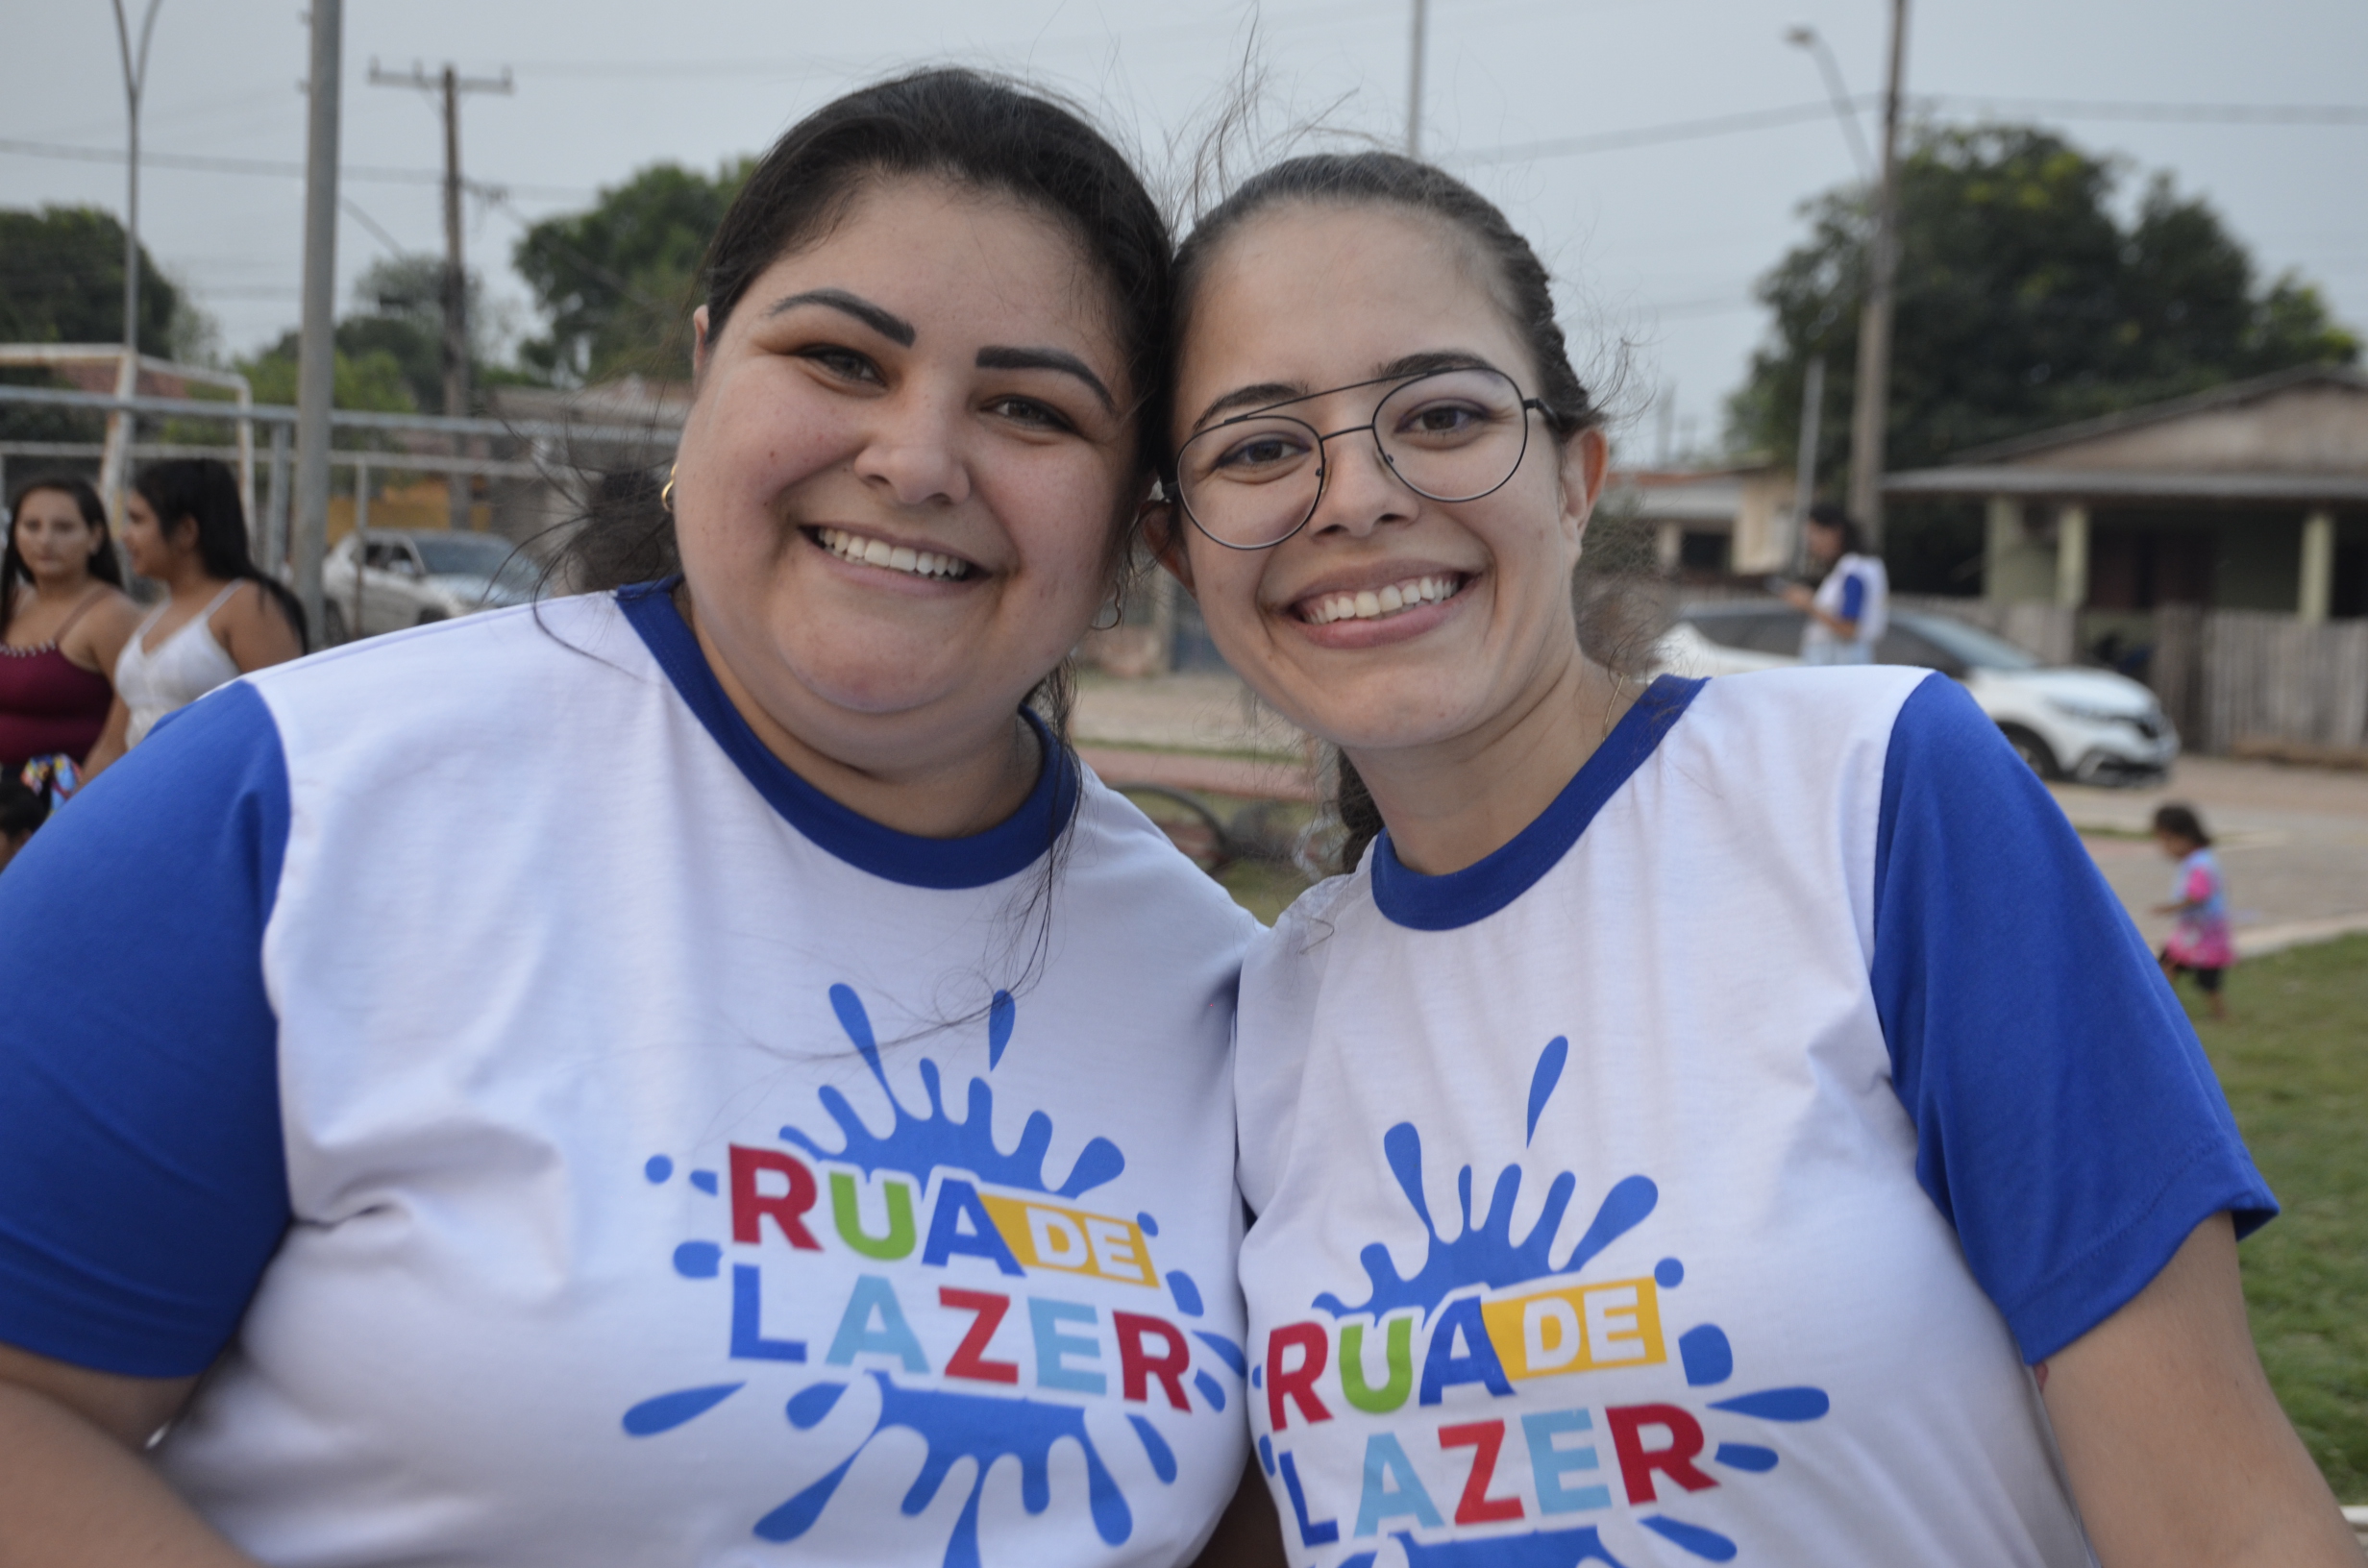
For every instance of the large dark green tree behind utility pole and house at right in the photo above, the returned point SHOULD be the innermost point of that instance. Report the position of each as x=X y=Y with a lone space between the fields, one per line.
x=2023 y=304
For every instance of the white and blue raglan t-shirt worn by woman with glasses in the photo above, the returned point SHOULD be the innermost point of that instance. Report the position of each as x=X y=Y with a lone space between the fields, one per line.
x=1692 y=1178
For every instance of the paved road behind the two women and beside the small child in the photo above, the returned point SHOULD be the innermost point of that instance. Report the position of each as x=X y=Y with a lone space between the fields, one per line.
x=2293 y=840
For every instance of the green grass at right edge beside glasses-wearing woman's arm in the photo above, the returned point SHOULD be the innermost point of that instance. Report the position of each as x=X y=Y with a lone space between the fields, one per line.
x=2296 y=1067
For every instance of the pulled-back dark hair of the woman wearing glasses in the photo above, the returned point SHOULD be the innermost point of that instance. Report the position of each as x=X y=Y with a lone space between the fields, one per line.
x=1524 y=290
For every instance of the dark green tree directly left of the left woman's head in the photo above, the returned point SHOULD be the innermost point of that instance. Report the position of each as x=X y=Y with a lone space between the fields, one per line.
x=619 y=281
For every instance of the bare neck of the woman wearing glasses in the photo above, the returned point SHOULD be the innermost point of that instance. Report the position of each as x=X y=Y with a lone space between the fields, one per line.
x=1458 y=802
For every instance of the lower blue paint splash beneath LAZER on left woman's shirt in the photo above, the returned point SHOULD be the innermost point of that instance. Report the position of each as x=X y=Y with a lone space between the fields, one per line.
x=970 y=1427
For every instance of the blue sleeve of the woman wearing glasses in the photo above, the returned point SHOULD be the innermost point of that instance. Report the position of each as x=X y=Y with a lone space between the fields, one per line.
x=2066 y=1117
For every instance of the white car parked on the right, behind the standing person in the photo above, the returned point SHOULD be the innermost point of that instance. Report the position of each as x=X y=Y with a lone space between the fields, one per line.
x=2068 y=724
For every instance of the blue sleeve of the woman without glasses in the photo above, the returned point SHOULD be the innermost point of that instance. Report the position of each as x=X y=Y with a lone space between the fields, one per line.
x=143 y=1183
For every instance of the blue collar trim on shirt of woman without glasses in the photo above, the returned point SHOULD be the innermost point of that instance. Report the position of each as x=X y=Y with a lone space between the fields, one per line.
x=1003 y=852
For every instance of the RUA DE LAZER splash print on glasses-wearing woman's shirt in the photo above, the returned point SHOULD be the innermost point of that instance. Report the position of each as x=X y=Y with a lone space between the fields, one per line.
x=1488 y=1309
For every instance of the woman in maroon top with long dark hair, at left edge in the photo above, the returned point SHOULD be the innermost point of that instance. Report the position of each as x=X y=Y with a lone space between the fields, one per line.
x=63 y=622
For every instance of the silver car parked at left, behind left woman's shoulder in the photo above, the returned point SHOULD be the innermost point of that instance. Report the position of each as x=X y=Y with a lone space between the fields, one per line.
x=390 y=579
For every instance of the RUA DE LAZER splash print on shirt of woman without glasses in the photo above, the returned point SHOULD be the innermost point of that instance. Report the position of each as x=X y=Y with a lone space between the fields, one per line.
x=858 y=1261
